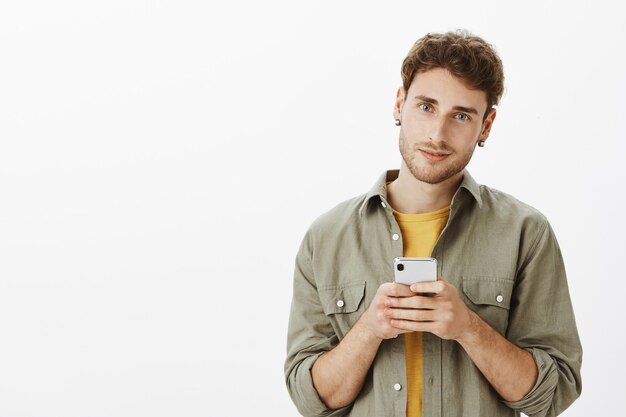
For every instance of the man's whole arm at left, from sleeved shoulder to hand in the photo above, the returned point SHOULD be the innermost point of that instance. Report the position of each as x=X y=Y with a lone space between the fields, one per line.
x=325 y=375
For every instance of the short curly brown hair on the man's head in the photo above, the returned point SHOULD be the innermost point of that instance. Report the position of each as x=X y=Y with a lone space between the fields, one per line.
x=466 y=56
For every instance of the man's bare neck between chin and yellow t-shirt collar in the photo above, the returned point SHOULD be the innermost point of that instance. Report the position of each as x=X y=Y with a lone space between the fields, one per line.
x=409 y=195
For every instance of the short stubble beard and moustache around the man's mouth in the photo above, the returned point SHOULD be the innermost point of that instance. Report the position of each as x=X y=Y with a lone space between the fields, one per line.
x=436 y=171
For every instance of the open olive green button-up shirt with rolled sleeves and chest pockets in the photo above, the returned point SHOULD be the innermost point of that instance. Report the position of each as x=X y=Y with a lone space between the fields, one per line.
x=500 y=254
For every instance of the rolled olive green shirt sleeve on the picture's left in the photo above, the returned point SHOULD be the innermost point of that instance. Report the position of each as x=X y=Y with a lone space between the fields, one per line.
x=310 y=334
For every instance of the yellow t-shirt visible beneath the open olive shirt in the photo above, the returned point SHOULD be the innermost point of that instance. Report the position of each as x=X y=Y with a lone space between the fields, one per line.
x=419 y=235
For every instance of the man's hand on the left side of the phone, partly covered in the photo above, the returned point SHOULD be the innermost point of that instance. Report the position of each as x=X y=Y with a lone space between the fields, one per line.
x=375 y=321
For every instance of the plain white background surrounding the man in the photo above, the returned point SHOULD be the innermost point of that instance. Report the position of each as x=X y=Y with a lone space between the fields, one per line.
x=160 y=162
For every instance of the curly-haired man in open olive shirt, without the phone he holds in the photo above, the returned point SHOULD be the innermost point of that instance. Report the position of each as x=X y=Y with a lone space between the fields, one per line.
x=495 y=334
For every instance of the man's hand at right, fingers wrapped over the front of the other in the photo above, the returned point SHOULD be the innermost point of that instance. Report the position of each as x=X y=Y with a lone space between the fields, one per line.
x=442 y=312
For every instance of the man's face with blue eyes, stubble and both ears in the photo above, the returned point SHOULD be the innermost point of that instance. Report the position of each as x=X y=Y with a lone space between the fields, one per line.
x=442 y=121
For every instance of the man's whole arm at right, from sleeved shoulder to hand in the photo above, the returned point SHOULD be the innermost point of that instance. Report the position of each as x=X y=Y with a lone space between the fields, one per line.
x=541 y=322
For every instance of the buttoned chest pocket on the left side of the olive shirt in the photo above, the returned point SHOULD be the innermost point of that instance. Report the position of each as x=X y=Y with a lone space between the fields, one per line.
x=343 y=304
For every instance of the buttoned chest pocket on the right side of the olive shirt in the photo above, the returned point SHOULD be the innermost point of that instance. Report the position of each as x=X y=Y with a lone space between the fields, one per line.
x=490 y=298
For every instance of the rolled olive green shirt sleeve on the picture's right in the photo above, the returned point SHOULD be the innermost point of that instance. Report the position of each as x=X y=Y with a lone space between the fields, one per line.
x=542 y=322
